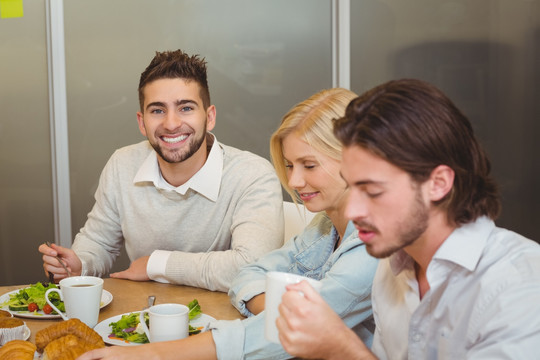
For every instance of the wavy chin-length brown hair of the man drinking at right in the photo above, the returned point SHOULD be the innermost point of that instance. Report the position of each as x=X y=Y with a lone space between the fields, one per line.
x=414 y=126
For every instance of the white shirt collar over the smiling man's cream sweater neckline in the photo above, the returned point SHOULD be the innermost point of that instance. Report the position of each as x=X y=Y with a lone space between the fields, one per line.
x=206 y=181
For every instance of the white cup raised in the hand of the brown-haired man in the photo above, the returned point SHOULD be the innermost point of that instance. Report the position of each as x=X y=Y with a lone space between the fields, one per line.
x=275 y=288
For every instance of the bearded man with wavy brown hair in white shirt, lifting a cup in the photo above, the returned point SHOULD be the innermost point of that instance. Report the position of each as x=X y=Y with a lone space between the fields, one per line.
x=451 y=284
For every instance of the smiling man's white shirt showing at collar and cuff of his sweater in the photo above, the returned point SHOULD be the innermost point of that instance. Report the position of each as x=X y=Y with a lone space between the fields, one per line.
x=206 y=182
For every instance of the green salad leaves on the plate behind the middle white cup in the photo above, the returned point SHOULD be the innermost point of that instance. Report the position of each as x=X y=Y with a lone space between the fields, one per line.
x=128 y=328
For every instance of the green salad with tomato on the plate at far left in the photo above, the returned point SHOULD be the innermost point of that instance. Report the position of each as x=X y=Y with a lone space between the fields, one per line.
x=32 y=299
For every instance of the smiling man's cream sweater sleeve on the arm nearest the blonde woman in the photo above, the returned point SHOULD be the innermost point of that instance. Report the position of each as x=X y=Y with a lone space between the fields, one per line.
x=256 y=228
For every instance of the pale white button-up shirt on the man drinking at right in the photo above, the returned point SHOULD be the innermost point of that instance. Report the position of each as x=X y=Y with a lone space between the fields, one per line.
x=483 y=302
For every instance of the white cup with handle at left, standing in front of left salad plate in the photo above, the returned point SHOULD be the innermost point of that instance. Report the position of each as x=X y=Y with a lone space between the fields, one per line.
x=81 y=296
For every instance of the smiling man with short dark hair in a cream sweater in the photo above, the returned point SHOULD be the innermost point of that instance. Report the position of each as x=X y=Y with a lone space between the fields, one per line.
x=189 y=209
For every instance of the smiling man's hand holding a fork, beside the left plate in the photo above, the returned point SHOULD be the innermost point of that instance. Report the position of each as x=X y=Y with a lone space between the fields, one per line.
x=51 y=264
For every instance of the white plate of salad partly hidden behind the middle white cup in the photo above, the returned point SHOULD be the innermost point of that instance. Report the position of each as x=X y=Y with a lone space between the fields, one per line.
x=125 y=330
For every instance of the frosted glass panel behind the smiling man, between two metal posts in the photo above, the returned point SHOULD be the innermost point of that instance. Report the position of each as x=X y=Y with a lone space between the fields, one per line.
x=263 y=57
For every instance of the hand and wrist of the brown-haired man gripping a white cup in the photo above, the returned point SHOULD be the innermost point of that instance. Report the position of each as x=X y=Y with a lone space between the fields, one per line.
x=309 y=328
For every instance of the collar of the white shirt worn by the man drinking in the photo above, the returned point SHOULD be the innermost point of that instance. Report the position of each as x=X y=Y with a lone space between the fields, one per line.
x=463 y=247
